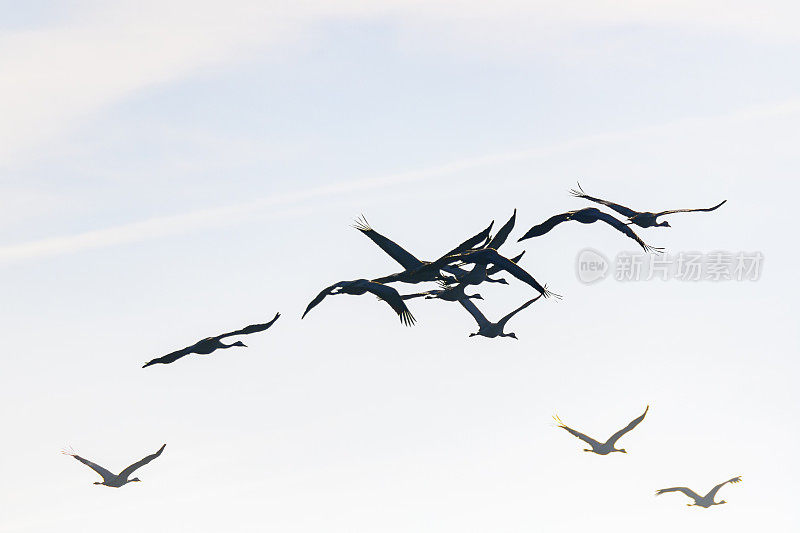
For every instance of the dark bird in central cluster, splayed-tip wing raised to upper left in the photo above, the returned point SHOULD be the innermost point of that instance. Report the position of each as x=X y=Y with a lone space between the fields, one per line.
x=414 y=268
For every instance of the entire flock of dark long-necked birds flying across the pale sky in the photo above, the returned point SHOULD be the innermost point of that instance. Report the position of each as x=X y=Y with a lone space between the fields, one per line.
x=453 y=279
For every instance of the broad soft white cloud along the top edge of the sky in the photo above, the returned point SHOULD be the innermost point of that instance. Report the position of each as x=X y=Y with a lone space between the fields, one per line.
x=55 y=77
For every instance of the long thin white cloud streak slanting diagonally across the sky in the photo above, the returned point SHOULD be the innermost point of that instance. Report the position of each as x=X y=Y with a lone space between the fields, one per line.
x=176 y=224
